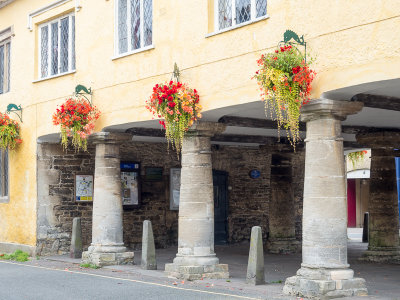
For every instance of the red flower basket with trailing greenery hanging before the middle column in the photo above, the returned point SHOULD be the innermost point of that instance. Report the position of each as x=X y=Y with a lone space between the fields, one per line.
x=179 y=106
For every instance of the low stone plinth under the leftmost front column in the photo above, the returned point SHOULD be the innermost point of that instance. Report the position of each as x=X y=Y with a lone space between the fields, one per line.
x=107 y=258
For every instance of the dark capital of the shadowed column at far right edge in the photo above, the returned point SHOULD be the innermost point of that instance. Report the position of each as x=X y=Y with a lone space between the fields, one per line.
x=379 y=139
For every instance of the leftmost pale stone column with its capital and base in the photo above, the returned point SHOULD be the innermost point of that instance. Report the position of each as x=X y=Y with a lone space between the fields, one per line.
x=107 y=246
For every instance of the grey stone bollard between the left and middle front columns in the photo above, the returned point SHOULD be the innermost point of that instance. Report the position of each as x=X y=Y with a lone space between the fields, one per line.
x=148 y=249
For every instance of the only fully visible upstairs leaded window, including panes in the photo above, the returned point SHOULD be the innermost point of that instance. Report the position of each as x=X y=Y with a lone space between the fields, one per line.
x=57 y=47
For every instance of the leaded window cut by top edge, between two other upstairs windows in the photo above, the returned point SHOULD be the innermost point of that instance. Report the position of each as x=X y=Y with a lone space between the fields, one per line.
x=134 y=25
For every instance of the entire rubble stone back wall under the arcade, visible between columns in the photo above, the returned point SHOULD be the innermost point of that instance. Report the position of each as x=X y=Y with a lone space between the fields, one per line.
x=248 y=199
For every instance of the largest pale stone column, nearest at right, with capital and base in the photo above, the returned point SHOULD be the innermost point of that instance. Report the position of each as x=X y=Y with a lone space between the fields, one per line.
x=324 y=270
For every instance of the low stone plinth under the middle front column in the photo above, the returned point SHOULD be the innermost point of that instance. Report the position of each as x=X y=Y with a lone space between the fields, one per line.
x=219 y=271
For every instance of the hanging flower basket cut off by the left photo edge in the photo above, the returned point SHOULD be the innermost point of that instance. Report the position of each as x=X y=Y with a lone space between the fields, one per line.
x=9 y=132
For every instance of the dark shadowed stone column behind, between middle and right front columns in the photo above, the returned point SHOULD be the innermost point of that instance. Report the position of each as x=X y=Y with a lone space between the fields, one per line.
x=281 y=207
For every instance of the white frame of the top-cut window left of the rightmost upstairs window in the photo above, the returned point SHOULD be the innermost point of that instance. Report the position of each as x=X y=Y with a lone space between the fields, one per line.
x=142 y=48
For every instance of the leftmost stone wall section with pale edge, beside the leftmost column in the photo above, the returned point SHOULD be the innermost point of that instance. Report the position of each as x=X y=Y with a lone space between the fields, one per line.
x=56 y=205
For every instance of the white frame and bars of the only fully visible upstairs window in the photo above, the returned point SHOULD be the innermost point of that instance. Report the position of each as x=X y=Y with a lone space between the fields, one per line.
x=71 y=52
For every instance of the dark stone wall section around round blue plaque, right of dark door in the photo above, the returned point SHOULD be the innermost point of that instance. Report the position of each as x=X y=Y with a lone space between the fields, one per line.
x=248 y=198
